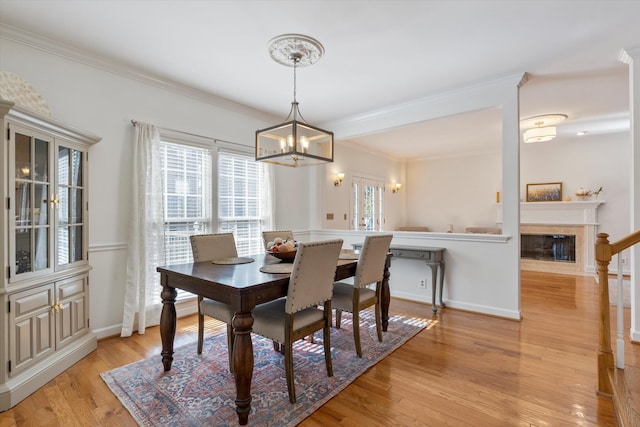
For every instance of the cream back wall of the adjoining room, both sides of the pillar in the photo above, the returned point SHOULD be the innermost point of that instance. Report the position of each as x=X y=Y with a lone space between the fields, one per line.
x=462 y=190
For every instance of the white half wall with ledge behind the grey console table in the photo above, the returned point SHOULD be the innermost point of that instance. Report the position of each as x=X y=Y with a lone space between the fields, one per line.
x=473 y=280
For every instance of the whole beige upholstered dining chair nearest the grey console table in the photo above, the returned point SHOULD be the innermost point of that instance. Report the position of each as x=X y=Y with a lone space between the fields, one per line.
x=355 y=297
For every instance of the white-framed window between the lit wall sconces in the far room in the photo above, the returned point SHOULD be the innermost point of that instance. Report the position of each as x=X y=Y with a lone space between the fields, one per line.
x=367 y=203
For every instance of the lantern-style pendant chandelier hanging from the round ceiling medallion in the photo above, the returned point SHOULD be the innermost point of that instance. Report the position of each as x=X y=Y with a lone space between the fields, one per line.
x=295 y=142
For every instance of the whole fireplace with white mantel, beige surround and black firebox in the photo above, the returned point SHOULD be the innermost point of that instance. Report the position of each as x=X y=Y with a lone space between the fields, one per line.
x=574 y=225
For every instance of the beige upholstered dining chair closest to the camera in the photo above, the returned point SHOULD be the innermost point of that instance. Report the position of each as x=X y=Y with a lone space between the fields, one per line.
x=307 y=306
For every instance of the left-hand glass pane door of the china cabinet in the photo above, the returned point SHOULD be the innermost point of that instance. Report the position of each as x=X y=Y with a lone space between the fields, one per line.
x=31 y=208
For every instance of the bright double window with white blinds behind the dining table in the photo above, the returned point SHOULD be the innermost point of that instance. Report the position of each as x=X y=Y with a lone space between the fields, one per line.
x=188 y=205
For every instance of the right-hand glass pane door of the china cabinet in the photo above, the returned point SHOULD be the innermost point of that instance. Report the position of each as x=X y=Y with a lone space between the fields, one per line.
x=70 y=206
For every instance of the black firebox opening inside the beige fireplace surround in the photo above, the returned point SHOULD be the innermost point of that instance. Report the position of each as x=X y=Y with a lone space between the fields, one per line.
x=548 y=247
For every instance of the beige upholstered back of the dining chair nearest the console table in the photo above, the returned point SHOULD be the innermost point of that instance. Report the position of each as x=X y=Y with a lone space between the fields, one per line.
x=372 y=259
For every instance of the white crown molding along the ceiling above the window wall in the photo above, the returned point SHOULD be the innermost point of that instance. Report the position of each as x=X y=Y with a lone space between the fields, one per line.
x=121 y=69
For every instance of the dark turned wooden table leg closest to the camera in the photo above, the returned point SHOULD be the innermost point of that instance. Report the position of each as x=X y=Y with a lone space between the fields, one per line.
x=243 y=364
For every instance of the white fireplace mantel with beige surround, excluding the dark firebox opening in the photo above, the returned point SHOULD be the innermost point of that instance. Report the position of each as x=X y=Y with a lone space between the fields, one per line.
x=555 y=217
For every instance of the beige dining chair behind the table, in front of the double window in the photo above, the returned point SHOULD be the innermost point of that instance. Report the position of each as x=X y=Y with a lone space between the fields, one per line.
x=207 y=247
